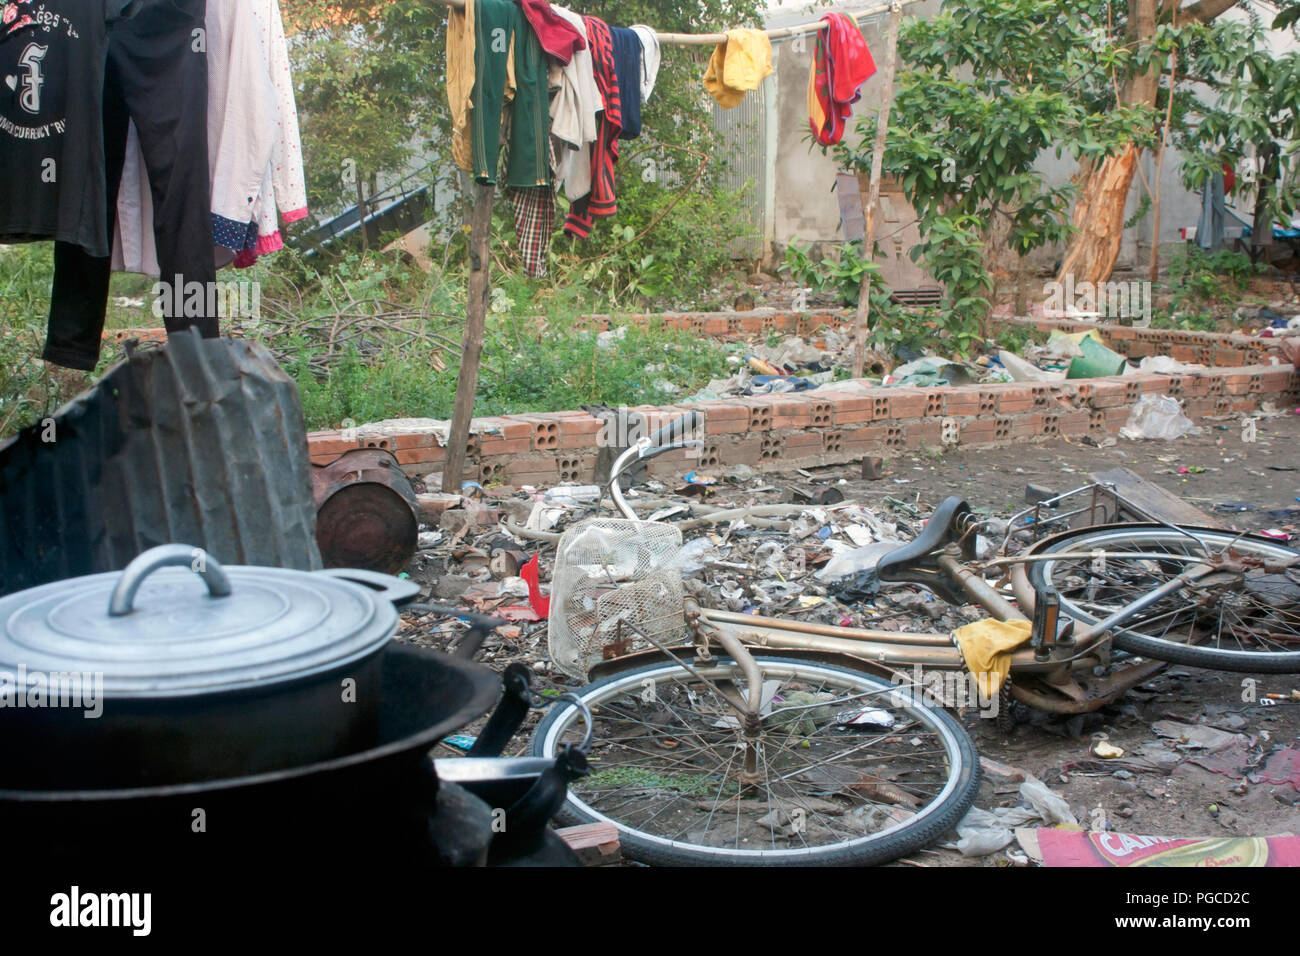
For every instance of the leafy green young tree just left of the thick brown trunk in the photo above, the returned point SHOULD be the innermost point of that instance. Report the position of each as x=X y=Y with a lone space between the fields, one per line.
x=985 y=90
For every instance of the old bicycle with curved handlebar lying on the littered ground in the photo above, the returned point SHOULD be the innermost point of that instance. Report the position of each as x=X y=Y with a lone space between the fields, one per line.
x=770 y=741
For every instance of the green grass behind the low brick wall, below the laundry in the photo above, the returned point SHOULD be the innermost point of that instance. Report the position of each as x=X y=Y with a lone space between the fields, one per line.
x=528 y=364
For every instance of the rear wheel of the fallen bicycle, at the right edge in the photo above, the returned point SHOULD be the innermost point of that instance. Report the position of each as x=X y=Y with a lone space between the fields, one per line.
x=1250 y=602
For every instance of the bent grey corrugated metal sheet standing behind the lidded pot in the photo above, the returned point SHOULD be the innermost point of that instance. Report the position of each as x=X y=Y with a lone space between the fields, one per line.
x=198 y=443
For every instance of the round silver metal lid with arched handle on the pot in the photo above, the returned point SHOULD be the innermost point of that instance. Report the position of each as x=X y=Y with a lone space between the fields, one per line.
x=176 y=622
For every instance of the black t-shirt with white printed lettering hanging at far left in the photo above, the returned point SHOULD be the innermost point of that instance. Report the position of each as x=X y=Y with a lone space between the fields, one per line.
x=51 y=123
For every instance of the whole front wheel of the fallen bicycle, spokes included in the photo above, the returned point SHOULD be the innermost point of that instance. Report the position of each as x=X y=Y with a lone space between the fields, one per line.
x=847 y=769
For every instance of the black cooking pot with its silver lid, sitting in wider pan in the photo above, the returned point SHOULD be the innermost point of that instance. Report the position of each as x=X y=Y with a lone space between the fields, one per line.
x=179 y=671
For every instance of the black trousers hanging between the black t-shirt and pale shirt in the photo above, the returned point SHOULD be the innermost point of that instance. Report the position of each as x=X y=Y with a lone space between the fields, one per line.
x=158 y=79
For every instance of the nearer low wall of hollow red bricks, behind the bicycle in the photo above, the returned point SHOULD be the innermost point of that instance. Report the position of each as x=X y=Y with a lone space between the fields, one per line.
x=826 y=427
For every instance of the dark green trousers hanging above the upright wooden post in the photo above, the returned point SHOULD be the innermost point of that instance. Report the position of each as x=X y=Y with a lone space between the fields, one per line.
x=502 y=31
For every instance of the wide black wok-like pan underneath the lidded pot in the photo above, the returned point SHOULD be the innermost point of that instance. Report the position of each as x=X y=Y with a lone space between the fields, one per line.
x=371 y=807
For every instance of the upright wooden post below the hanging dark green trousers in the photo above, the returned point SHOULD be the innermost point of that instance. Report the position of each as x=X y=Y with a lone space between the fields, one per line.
x=473 y=344
